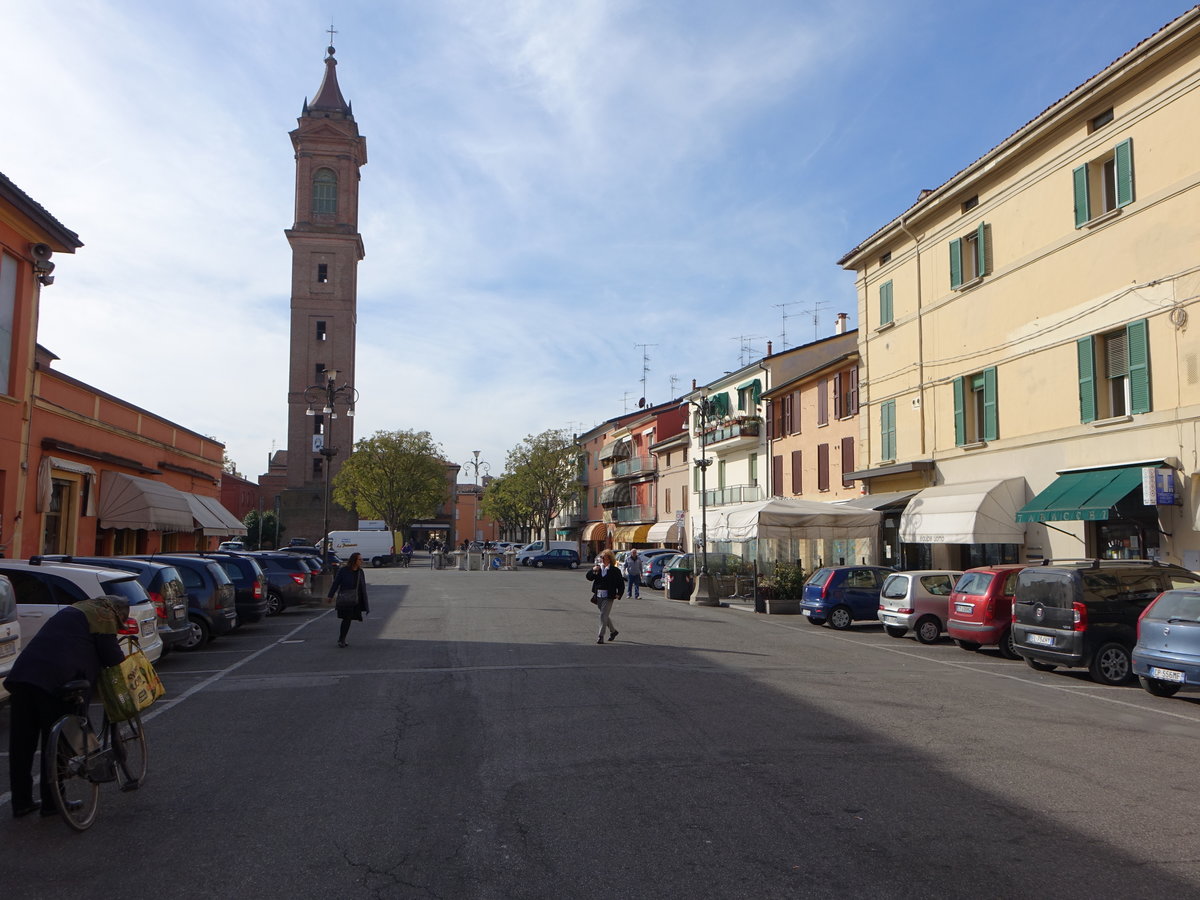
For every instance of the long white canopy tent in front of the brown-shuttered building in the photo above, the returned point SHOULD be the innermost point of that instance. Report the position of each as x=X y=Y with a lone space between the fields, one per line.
x=789 y=519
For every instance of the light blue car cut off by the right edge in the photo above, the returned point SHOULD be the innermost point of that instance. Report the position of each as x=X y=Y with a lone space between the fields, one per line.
x=1167 y=657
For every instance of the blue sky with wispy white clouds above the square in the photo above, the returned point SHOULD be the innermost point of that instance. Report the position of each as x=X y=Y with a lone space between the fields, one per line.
x=550 y=184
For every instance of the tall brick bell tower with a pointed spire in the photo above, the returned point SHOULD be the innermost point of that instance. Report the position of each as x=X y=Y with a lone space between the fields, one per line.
x=326 y=253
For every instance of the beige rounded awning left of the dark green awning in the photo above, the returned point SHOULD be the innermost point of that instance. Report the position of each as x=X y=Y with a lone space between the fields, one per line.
x=970 y=513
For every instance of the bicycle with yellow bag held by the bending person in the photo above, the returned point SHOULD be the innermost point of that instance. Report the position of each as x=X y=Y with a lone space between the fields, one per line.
x=79 y=760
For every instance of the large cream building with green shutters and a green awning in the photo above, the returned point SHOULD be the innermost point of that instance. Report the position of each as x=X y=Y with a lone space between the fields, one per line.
x=1025 y=331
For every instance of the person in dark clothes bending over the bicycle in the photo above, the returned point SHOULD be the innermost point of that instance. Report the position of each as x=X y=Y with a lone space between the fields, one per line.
x=76 y=643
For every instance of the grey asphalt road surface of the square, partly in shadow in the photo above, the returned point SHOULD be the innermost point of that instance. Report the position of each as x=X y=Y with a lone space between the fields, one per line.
x=475 y=742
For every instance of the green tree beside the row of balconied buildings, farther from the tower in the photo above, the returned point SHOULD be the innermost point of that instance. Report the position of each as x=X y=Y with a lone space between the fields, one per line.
x=545 y=472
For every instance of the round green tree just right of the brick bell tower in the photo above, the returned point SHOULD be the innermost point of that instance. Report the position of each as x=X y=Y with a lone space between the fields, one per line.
x=397 y=476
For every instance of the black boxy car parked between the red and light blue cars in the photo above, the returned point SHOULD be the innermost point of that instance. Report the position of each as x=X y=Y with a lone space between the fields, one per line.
x=1084 y=614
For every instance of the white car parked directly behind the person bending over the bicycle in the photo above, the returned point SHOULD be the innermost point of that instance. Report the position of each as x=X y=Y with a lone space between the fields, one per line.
x=44 y=589
